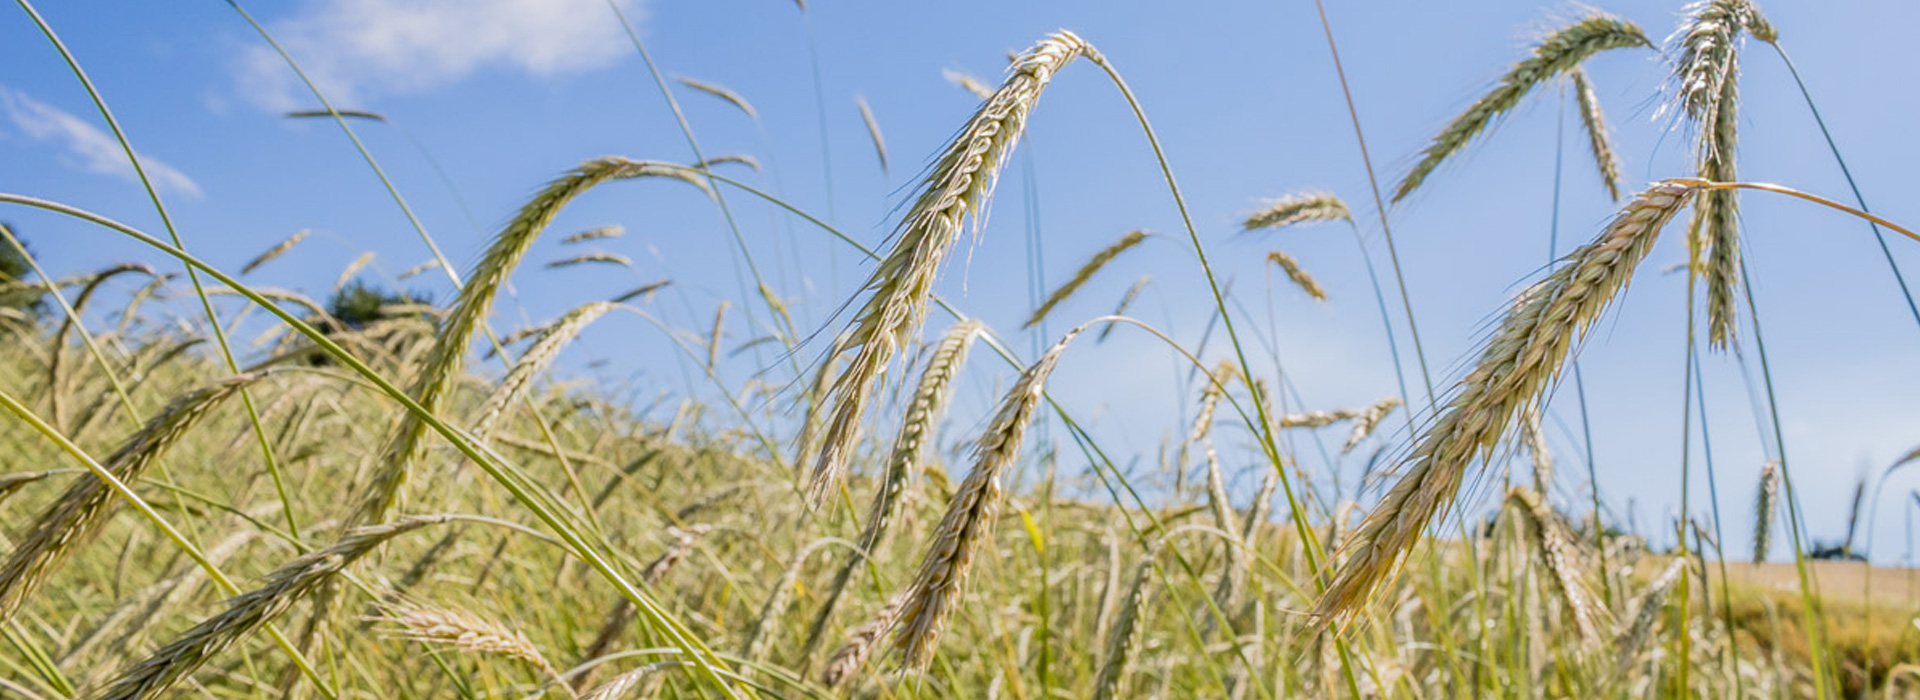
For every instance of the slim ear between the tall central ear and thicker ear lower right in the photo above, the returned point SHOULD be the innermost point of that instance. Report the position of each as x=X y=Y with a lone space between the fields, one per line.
x=917 y=432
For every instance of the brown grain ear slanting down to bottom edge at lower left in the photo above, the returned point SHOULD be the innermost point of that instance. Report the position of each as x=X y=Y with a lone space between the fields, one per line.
x=252 y=611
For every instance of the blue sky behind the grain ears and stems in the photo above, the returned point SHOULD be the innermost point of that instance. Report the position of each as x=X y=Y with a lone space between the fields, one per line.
x=492 y=99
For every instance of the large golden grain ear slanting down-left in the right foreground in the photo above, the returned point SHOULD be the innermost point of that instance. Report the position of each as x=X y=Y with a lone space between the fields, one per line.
x=1518 y=365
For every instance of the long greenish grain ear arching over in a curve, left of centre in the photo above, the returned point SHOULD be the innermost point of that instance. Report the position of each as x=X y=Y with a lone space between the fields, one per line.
x=443 y=369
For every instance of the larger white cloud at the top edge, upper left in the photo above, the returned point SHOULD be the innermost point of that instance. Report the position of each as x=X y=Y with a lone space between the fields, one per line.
x=356 y=49
